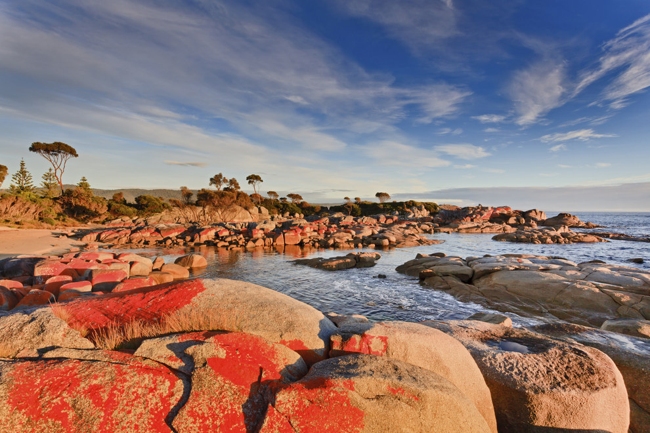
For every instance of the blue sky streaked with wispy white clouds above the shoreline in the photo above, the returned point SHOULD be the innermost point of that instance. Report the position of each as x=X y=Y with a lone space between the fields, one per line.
x=423 y=99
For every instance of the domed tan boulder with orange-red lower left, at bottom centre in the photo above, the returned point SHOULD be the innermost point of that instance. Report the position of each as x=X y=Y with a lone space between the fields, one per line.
x=363 y=393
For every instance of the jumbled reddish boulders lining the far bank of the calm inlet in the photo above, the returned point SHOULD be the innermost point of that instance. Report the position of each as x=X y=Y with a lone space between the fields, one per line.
x=337 y=231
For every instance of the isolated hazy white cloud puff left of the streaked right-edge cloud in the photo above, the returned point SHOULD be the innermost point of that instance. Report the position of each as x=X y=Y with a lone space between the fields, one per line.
x=537 y=89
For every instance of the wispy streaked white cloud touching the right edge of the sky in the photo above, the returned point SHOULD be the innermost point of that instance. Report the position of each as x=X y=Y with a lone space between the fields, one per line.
x=629 y=54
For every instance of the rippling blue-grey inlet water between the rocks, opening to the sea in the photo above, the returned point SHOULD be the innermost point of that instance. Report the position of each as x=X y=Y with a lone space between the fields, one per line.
x=398 y=297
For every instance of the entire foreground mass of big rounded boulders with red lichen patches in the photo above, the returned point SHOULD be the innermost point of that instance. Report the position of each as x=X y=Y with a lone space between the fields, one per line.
x=222 y=355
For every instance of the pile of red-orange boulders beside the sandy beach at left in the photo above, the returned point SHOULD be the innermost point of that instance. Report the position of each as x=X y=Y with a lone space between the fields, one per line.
x=42 y=280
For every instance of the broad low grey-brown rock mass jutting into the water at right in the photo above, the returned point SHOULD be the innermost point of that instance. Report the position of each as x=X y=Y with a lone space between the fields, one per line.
x=587 y=293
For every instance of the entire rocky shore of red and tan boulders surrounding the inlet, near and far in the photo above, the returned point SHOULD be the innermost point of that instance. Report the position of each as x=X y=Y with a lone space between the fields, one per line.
x=121 y=342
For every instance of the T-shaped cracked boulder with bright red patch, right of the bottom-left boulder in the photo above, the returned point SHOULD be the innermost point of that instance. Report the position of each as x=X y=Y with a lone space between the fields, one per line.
x=232 y=377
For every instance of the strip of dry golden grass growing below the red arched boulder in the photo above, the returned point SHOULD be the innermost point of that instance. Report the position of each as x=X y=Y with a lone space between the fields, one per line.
x=130 y=335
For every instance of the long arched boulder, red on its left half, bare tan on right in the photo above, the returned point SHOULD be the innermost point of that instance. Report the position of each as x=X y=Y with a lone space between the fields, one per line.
x=214 y=304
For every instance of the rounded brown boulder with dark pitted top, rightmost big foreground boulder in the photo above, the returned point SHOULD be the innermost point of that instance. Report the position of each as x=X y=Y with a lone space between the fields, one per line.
x=539 y=383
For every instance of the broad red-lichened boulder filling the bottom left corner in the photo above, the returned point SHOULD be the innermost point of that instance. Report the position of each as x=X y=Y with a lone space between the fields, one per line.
x=116 y=392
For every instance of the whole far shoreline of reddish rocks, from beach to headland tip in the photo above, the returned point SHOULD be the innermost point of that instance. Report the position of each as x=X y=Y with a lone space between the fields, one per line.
x=341 y=231
